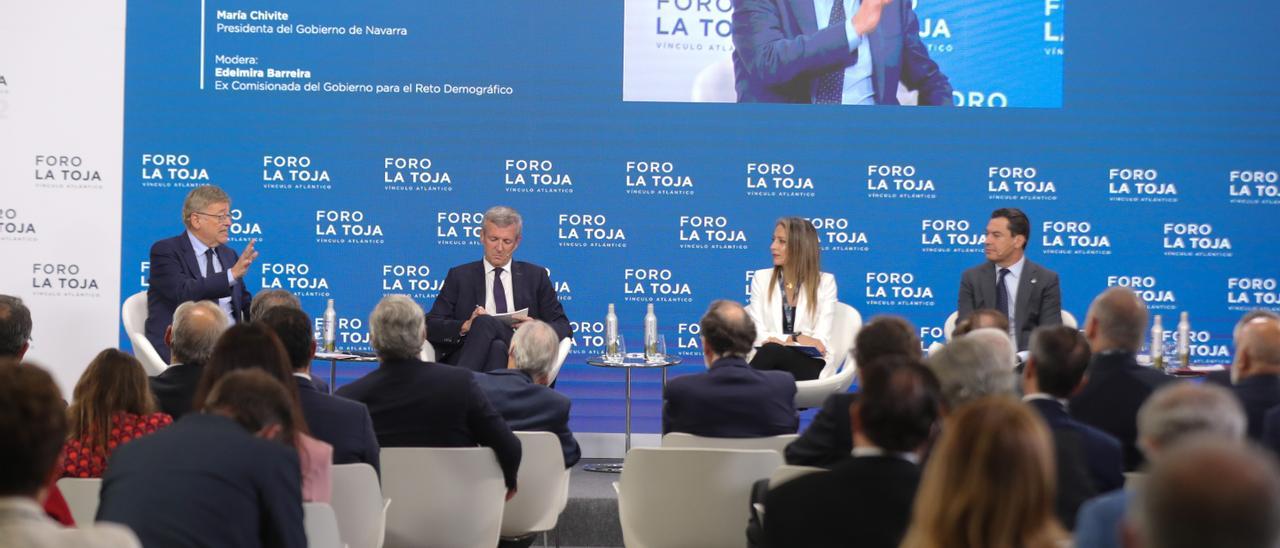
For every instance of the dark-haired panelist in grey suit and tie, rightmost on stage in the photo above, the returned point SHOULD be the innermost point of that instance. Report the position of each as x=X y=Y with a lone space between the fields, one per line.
x=1027 y=293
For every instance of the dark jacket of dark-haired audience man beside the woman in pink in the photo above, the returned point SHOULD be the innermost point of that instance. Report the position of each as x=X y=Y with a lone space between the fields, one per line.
x=341 y=423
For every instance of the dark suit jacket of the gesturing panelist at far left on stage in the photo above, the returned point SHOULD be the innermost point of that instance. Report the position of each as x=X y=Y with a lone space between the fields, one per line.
x=177 y=278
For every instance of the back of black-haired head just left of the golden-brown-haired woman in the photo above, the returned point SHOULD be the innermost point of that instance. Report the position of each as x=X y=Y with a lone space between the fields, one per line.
x=899 y=404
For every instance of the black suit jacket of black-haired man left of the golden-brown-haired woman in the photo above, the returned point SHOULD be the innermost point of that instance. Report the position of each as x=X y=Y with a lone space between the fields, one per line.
x=865 y=503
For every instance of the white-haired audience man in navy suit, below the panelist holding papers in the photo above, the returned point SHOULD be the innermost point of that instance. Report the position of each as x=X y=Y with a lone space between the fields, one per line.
x=520 y=392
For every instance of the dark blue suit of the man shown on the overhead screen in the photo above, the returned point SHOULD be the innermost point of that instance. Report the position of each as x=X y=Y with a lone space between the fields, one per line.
x=780 y=53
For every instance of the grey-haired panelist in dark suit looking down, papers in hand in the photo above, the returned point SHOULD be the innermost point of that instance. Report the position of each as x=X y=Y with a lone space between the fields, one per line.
x=460 y=326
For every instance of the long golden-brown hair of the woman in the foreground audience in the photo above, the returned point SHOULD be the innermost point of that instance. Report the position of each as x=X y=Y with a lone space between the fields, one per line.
x=989 y=483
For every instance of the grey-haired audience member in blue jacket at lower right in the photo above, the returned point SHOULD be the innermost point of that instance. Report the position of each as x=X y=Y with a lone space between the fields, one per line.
x=1173 y=415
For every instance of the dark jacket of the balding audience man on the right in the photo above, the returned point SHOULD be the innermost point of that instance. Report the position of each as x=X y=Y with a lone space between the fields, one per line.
x=1117 y=387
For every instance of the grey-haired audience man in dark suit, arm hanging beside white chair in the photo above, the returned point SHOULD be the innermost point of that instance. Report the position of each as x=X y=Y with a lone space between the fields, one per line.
x=417 y=404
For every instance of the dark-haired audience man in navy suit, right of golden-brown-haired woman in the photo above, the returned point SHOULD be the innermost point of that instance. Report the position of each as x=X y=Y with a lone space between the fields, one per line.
x=1089 y=460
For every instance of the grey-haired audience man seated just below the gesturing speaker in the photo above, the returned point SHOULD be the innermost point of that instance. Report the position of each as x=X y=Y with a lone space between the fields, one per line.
x=195 y=331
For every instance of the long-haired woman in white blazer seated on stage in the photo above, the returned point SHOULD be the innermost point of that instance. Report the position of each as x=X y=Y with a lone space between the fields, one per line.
x=793 y=303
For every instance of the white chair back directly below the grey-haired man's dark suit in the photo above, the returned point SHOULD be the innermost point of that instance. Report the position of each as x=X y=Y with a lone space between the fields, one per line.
x=445 y=496
